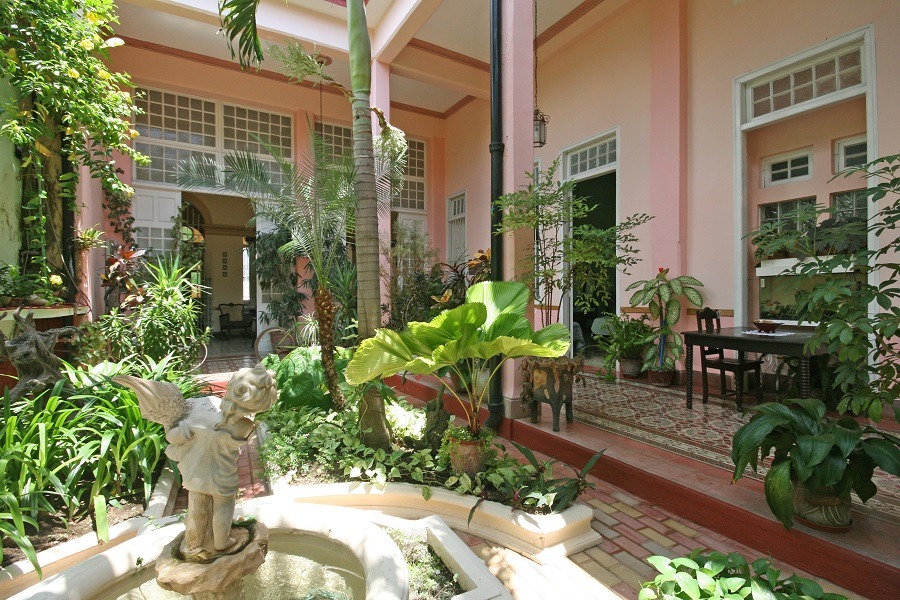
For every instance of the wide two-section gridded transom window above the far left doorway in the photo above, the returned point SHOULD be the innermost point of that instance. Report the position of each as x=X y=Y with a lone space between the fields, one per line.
x=175 y=127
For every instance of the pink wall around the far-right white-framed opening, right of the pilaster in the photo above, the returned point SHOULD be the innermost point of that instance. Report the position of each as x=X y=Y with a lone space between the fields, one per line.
x=724 y=42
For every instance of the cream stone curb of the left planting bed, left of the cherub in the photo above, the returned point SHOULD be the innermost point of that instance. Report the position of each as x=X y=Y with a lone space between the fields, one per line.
x=21 y=575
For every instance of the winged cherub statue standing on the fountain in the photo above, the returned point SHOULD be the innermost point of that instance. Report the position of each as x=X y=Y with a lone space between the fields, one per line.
x=204 y=436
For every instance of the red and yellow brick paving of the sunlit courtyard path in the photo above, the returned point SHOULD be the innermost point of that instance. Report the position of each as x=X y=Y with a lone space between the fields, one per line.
x=632 y=530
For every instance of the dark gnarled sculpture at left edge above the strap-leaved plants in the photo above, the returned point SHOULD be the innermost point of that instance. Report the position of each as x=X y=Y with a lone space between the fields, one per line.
x=31 y=352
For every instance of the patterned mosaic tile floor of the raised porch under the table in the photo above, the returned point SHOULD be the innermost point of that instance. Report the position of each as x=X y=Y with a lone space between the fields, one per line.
x=658 y=417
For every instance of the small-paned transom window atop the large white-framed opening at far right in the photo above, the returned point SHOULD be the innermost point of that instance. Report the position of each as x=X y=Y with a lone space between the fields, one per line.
x=816 y=78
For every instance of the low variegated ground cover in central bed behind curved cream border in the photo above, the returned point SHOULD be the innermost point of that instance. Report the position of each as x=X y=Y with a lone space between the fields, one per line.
x=308 y=442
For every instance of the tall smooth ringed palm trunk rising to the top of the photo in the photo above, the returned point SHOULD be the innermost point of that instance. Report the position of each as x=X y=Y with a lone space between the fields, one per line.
x=372 y=420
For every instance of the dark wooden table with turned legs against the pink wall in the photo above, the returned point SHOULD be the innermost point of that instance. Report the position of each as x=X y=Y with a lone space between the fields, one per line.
x=735 y=338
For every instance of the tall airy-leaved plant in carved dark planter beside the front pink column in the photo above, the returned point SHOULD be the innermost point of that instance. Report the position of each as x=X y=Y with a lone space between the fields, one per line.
x=568 y=258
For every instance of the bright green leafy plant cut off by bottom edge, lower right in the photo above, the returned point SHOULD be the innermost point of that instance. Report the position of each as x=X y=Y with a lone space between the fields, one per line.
x=727 y=577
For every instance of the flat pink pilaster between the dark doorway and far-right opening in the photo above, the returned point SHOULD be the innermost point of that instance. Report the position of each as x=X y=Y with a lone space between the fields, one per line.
x=668 y=133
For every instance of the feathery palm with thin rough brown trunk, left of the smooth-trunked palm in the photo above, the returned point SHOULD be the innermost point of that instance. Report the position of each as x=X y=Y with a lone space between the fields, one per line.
x=313 y=199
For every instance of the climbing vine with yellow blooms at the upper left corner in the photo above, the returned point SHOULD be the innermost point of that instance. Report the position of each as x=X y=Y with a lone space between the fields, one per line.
x=67 y=105
